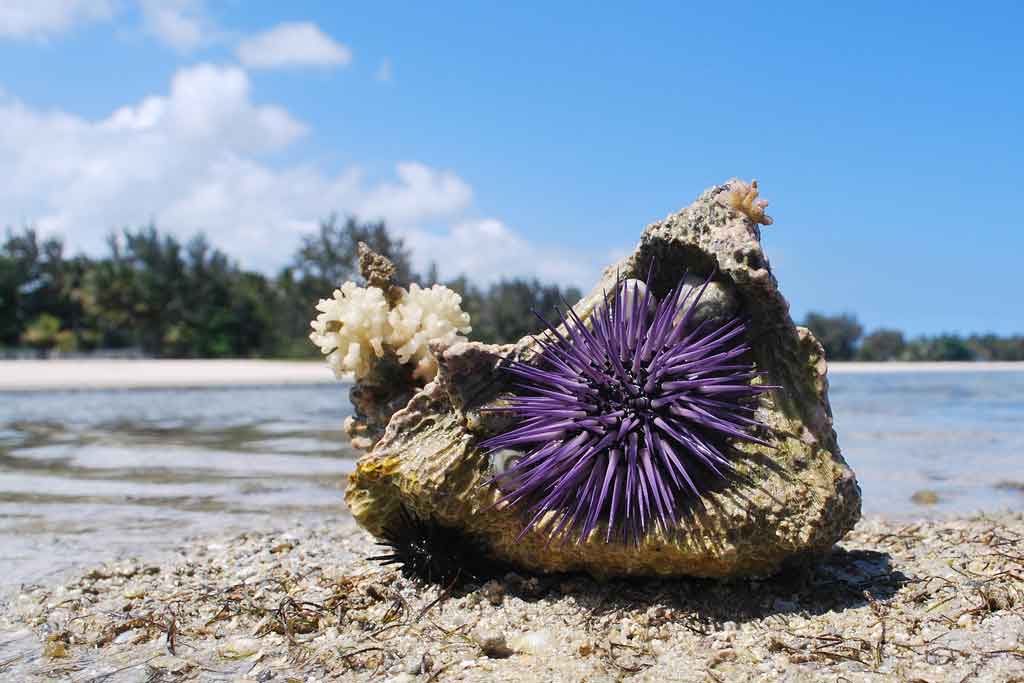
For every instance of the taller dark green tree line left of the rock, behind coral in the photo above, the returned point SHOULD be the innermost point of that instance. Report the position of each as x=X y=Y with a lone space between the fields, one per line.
x=158 y=296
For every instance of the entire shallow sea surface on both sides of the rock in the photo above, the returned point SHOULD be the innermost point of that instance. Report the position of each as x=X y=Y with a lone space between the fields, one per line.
x=91 y=476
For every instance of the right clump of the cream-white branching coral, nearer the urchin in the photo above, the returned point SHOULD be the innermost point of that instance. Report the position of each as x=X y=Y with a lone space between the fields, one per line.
x=424 y=316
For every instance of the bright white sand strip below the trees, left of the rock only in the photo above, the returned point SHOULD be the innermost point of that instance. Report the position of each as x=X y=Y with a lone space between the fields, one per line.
x=51 y=375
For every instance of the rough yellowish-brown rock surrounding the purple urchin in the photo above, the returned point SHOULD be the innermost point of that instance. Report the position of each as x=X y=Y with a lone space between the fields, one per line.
x=794 y=500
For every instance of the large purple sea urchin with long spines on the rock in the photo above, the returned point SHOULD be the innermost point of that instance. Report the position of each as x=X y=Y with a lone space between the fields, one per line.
x=626 y=420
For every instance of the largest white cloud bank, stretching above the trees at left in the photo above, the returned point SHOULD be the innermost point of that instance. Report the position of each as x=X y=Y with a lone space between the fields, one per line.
x=199 y=158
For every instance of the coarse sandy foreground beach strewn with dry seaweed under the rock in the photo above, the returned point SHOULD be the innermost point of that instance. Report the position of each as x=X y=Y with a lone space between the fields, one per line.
x=924 y=602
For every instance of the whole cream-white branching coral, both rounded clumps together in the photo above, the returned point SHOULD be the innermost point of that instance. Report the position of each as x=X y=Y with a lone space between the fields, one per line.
x=357 y=326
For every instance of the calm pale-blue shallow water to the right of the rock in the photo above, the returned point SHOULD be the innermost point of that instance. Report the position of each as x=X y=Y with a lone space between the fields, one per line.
x=960 y=436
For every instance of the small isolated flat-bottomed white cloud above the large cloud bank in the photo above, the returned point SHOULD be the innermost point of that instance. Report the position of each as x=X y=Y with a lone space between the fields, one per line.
x=294 y=45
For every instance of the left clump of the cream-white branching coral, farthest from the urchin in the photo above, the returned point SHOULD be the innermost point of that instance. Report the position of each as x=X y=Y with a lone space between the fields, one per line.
x=352 y=329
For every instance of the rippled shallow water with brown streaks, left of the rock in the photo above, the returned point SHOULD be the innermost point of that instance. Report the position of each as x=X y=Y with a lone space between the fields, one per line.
x=90 y=476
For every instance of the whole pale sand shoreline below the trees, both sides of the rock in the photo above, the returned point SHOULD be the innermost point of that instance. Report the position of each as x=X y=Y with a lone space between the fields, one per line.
x=164 y=374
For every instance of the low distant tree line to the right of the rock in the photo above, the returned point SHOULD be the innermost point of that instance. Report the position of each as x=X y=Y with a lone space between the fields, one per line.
x=844 y=339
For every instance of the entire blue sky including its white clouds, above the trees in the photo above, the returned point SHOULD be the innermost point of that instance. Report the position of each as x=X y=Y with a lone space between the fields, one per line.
x=532 y=140
